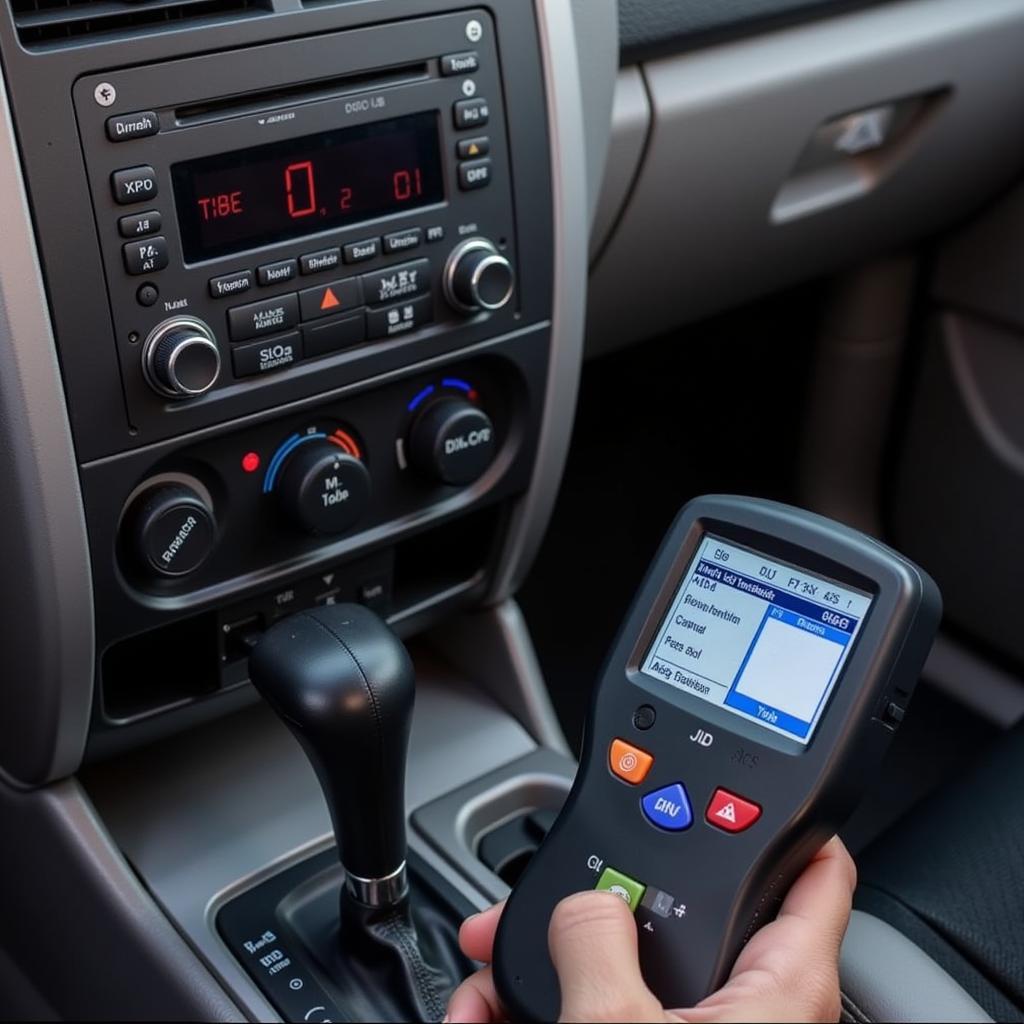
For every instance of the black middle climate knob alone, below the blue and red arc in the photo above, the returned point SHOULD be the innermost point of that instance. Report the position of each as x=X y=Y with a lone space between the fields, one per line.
x=324 y=489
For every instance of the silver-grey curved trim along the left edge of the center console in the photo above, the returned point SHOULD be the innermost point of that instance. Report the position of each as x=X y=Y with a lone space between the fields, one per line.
x=48 y=690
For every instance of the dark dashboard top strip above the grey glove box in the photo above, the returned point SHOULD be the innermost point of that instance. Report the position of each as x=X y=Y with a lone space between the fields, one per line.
x=649 y=27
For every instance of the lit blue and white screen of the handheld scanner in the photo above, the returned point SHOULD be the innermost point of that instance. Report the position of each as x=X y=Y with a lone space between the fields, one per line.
x=761 y=638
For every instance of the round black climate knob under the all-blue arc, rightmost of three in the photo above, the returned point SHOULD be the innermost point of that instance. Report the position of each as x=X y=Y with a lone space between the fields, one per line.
x=452 y=442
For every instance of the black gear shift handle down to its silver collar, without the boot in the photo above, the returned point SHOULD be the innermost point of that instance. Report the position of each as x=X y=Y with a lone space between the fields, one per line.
x=345 y=686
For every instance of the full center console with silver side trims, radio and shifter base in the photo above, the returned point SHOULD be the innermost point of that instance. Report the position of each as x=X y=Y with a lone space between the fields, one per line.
x=291 y=298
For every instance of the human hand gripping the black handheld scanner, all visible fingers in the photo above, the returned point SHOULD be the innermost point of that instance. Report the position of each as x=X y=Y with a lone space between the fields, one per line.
x=788 y=972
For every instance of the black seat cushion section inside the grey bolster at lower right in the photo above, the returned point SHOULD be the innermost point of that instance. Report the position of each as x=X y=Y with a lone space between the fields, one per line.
x=951 y=877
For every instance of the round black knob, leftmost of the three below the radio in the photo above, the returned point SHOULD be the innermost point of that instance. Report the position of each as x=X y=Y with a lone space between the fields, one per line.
x=174 y=530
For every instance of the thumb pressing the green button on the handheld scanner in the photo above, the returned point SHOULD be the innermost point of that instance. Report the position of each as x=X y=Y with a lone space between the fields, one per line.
x=593 y=942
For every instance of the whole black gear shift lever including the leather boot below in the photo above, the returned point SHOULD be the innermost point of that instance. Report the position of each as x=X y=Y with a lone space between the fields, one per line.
x=344 y=685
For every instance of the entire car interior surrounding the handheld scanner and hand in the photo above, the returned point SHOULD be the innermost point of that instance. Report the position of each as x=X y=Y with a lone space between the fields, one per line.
x=329 y=324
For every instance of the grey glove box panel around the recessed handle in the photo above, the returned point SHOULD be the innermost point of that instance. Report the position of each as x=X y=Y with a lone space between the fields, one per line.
x=697 y=229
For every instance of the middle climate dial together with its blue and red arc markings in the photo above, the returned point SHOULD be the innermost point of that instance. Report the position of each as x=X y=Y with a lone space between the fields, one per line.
x=321 y=481
